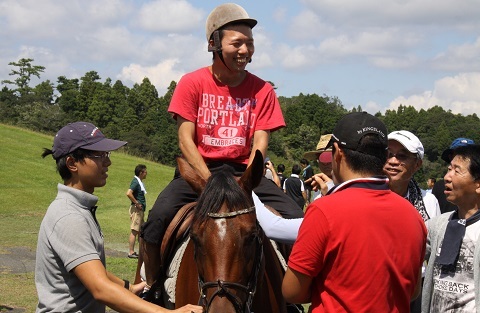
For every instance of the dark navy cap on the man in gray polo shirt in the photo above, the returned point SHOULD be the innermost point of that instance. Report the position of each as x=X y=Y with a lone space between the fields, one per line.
x=82 y=135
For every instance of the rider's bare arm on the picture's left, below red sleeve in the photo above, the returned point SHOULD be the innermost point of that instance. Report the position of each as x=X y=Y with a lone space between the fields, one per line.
x=186 y=142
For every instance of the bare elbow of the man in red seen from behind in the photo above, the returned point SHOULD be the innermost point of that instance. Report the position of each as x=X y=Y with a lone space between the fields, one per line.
x=296 y=287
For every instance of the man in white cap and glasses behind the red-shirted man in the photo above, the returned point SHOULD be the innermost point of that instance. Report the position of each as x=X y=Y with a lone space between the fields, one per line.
x=404 y=159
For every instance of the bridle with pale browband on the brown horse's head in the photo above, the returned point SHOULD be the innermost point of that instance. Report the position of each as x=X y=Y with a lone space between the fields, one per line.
x=224 y=287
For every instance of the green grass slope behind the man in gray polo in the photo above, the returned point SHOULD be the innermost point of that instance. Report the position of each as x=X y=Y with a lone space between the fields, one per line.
x=28 y=184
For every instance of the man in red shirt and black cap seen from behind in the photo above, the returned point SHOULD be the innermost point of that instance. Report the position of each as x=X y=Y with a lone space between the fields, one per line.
x=361 y=247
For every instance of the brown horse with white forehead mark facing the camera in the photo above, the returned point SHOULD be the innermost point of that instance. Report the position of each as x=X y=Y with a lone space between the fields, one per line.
x=229 y=265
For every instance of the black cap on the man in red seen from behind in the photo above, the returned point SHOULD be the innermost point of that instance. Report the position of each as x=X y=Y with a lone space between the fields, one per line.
x=354 y=126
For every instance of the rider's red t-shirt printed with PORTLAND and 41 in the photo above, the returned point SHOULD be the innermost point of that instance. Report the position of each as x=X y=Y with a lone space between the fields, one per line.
x=226 y=118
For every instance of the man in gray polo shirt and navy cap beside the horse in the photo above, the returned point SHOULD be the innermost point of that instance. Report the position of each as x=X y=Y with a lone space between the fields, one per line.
x=70 y=273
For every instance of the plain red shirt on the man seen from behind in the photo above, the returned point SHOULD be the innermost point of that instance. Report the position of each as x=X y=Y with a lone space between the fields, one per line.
x=363 y=248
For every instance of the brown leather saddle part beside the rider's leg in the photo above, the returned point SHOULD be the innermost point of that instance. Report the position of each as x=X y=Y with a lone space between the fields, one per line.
x=176 y=232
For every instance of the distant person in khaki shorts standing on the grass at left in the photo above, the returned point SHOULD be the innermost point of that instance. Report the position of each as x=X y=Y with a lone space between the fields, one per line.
x=136 y=193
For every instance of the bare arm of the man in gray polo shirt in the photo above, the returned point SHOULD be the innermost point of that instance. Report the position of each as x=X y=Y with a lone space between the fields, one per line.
x=109 y=289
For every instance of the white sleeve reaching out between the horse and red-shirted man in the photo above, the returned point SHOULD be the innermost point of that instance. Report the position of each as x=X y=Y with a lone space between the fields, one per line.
x=276 y=227
